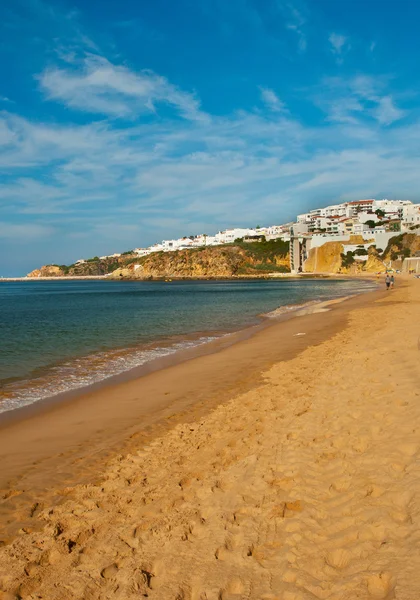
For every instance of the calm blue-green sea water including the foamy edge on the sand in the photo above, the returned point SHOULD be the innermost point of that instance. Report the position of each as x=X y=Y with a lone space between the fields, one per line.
x=60 y=335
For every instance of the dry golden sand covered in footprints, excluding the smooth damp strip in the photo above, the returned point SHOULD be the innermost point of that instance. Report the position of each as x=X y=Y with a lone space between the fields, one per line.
x=305 y=485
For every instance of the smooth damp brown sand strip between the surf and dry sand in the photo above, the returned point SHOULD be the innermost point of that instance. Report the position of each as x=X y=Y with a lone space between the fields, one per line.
x=55 y=444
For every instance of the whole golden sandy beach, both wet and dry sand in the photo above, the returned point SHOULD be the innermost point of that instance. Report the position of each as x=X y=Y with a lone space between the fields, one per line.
x=283 y=467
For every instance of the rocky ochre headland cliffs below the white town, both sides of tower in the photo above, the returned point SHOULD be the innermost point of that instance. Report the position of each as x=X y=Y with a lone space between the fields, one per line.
x=256 y=259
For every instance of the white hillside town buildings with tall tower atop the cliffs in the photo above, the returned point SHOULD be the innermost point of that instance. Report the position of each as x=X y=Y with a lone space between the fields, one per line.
x=376 y=221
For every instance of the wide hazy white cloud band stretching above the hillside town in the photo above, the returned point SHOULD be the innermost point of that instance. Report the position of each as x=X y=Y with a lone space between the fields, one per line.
x=164 y=177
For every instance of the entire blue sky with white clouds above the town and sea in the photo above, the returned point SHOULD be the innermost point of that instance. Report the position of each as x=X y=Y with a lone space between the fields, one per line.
x=124 y=123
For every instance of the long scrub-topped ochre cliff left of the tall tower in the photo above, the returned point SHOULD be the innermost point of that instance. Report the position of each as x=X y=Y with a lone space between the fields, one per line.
x=230 y=260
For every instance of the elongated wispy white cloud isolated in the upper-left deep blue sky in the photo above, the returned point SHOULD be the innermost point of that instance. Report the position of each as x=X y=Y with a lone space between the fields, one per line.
x=99 y=86
